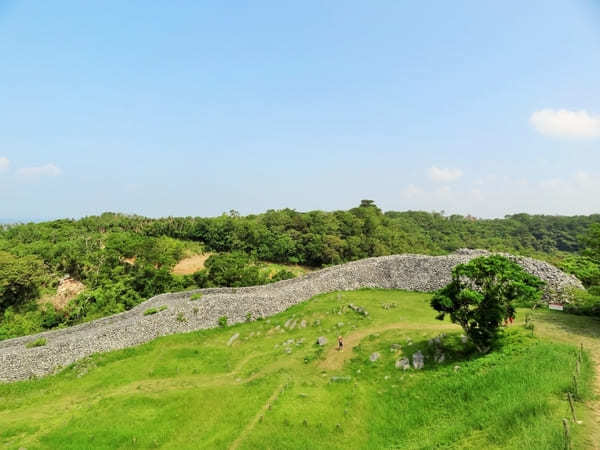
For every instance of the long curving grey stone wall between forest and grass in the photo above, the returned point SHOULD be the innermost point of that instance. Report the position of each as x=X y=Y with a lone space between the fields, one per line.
x=409 y=272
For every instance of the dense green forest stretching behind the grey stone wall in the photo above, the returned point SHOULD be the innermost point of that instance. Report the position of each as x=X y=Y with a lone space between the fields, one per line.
x=123 y=259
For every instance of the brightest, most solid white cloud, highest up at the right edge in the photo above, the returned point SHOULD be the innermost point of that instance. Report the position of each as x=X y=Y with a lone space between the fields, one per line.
x=566 y=124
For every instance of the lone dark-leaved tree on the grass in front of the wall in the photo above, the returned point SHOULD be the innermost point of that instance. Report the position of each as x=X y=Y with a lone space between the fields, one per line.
x=479 y=297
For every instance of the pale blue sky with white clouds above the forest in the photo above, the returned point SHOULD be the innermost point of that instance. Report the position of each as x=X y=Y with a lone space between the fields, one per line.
x=196 y=108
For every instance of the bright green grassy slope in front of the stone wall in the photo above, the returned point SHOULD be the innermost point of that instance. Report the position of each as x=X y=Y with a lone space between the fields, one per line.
x=273 y=387
